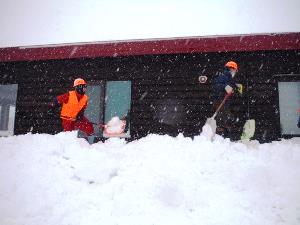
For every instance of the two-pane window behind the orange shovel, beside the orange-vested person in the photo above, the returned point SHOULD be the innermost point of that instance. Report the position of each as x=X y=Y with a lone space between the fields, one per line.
x=107 y=100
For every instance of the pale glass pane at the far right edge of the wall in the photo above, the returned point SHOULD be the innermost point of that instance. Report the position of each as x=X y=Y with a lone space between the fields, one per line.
x=289 y=102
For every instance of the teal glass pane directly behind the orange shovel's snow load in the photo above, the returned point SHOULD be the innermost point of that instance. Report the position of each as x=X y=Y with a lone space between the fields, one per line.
x=118 y=100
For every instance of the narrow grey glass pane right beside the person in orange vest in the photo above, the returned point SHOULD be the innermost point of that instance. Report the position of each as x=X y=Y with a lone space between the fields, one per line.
x=94 y=111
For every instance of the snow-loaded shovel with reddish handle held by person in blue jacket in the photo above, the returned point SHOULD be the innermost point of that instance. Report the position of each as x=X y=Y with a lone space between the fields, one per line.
x=210 y=127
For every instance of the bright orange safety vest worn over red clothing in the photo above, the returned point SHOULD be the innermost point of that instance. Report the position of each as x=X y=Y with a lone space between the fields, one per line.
x=70 y=109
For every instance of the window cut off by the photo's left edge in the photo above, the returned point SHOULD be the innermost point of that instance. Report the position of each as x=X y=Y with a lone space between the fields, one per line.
x=8 y=97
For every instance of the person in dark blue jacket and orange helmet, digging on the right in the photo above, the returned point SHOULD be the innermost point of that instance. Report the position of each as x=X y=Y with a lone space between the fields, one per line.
x=224 y=84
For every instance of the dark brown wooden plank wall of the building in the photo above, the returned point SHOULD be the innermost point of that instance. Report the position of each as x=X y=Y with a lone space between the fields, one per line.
x=166 y=95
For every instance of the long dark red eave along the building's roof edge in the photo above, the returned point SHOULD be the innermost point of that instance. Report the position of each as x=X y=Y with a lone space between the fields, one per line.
x=286 y=41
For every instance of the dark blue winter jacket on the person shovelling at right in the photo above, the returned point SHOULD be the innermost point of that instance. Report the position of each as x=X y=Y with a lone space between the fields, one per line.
x=220 y=82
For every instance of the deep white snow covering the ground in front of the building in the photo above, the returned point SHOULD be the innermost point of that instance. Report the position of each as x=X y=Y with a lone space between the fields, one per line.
x=160 y=180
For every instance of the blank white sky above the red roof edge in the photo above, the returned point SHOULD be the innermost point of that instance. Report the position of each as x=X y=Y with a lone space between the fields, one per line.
x=36 y=22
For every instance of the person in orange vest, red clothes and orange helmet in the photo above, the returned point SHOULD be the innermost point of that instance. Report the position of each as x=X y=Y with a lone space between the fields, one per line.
x=73 y=105
